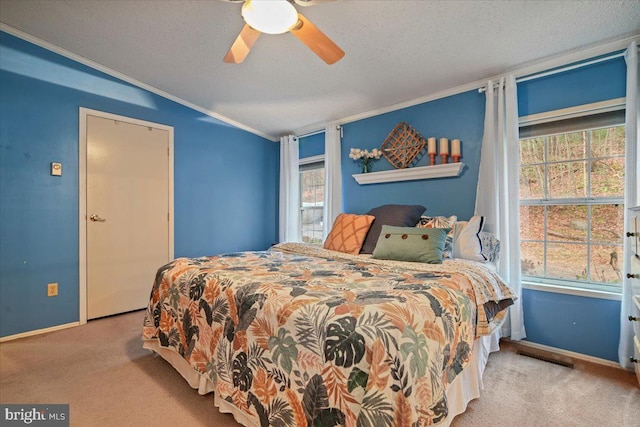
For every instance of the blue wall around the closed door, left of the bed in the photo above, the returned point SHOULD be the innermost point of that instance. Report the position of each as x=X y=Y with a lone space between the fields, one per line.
x=221 y=203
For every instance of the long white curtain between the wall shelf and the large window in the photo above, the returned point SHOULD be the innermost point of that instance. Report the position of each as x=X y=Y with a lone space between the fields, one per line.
x=497 y=194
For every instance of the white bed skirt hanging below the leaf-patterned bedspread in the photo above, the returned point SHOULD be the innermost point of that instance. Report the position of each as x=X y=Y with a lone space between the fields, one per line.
x=464 y=388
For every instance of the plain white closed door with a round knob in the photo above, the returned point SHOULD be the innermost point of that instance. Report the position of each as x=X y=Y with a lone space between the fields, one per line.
x=127 y=214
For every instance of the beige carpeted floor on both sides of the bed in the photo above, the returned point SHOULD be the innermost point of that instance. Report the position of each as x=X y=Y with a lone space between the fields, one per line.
x=101 y=370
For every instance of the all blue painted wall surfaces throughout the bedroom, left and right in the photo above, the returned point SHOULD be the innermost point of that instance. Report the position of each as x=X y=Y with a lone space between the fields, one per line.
x=225 y=205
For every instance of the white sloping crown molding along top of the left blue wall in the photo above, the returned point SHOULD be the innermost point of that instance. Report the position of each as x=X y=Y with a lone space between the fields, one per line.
x=96 y=66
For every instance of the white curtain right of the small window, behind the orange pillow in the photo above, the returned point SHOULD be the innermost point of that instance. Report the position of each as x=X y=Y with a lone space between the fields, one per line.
x=332 y=177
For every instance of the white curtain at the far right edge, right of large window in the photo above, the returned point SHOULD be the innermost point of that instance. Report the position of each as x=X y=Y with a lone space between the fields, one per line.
x=631 y=196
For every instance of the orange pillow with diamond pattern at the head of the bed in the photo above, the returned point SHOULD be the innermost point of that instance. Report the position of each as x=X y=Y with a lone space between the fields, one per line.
x=348 y=233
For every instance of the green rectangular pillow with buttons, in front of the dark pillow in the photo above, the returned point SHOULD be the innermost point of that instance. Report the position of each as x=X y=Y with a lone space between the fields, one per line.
x=411 y=244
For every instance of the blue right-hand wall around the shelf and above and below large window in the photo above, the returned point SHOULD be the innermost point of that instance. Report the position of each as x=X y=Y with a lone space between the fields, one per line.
x=584 y=325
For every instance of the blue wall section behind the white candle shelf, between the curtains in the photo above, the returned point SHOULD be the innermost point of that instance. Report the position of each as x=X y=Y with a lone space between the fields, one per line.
x=459 y=116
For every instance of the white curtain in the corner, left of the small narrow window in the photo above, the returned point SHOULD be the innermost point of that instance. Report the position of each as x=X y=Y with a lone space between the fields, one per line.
x=289 y=230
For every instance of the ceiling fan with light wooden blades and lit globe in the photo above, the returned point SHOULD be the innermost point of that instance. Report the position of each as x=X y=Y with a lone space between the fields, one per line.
x=277 y=17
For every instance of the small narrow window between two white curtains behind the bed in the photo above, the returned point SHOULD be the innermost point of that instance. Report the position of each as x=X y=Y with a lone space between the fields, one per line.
x=311 y=200
